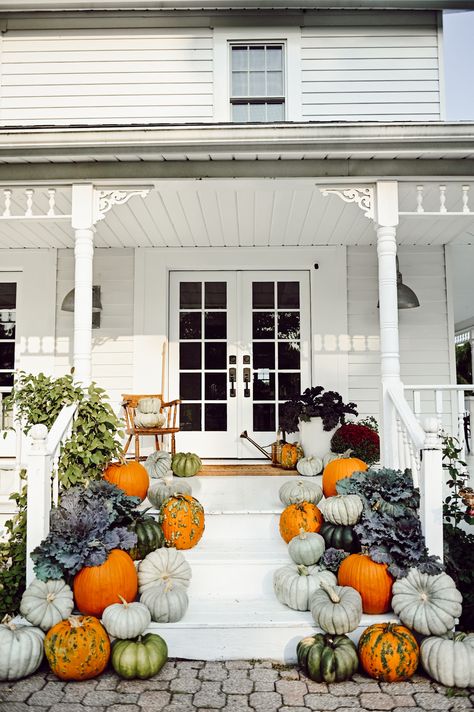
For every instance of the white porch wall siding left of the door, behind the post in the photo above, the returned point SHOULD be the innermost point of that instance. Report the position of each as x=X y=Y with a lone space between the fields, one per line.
x=112 y=350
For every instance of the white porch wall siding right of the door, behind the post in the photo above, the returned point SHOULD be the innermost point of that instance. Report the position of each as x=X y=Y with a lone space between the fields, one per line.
x=424 y=339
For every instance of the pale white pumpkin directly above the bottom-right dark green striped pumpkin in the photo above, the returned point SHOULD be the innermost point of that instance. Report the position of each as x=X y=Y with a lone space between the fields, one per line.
x=336 y=609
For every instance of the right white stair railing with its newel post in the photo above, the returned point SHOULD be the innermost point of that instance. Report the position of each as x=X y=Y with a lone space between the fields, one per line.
x=419 y=448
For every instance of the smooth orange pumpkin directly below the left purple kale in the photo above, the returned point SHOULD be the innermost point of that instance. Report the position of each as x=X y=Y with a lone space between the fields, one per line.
x=96 y=587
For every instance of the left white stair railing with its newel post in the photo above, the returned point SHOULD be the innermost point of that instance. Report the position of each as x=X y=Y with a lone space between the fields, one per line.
x=42 y=479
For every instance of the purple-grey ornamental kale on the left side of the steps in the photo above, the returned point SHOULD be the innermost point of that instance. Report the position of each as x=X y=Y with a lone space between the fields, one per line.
x=88 y=523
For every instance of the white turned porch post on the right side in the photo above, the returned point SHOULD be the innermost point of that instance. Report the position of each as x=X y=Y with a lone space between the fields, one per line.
x=386 y=227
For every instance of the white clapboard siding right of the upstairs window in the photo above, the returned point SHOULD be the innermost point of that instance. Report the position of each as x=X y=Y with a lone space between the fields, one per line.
x=386 y=68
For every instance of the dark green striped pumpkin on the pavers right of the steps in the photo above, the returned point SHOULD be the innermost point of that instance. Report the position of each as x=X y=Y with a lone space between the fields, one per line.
x=327 y=658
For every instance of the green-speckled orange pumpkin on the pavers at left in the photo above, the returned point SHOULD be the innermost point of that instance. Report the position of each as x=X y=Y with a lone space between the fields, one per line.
x=77 y=648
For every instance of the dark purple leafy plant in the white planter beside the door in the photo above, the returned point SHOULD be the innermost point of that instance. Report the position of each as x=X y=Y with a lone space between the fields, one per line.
x=314 y=402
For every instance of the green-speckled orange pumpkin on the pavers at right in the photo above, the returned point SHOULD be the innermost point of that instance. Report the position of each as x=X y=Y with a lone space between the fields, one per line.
x=389 y=652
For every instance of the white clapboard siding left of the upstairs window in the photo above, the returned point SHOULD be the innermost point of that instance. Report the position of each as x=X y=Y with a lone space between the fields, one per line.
x=106 y=76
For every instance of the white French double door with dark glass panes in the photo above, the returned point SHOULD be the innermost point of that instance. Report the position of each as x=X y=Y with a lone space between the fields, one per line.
x=239 y=348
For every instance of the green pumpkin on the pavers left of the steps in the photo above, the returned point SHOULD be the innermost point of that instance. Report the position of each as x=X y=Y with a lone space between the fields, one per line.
x=141 y=658
